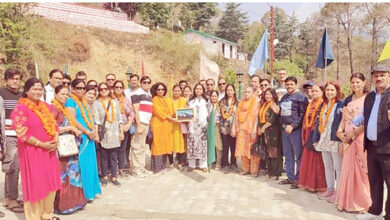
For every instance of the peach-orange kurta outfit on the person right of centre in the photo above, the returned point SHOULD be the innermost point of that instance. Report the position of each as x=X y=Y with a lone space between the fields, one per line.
x=246 y=115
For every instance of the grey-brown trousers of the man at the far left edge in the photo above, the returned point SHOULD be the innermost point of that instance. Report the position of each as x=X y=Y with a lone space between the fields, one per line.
x=10 y=166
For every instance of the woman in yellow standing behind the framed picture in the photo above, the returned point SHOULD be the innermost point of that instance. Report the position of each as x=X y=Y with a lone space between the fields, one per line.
x=177 y=134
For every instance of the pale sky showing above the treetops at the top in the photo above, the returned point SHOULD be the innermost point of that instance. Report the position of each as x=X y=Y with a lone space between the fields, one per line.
x=255 y=11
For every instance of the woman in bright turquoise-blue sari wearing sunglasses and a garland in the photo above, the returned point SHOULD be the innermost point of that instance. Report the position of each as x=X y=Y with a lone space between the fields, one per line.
x=80 y=110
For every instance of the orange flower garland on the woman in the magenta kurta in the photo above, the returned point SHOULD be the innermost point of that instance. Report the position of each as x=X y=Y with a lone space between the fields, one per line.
x=44 y=114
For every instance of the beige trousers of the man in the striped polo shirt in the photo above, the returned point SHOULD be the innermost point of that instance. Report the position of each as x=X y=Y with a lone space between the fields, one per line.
x=138 y=147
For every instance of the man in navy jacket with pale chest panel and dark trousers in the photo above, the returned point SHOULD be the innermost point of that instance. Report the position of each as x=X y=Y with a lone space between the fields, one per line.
x=293 y=106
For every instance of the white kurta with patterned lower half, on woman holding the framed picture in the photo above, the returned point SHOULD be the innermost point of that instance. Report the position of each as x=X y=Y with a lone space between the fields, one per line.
x=197 y=136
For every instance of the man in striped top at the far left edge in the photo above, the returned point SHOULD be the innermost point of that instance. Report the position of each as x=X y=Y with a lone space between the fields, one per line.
x=10 y=164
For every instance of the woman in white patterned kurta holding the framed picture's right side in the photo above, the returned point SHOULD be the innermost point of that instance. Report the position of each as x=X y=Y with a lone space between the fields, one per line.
x=197 y=136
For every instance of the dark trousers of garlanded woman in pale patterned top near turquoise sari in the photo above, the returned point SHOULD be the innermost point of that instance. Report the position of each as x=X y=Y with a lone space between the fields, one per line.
x=107 y=155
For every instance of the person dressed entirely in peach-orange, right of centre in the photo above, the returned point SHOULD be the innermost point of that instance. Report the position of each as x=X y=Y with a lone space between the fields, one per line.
x=244 y=128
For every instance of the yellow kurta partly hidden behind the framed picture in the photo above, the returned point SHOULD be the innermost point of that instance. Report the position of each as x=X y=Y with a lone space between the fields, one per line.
x=177 y=135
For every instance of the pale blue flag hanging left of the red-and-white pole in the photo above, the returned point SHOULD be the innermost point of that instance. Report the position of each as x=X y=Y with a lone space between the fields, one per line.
x=260 y=55
